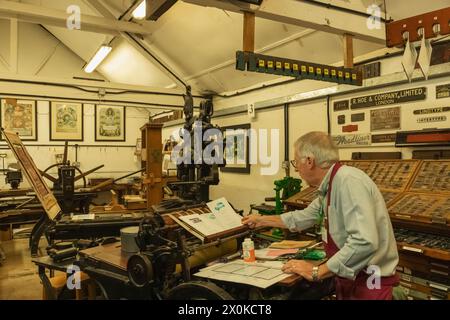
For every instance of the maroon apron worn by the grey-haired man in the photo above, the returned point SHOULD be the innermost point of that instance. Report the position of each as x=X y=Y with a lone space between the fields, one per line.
x=347 y=289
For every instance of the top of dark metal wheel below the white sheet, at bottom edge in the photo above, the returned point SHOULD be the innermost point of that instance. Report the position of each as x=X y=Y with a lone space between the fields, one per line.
x=198 y=290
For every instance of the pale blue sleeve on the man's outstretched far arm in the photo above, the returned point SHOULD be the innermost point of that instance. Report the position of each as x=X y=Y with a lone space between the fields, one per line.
x=299 y=220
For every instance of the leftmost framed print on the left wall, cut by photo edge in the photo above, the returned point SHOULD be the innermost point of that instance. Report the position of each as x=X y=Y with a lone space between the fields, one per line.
x=20 y=116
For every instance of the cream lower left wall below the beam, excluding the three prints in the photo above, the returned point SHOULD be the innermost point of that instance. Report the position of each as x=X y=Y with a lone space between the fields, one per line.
x=118 y=157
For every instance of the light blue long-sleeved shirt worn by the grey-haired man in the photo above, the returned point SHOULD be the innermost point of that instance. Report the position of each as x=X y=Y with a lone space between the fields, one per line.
x=359 y=223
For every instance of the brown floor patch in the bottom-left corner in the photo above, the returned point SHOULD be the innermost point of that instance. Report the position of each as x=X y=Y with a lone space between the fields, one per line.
x=18 y=275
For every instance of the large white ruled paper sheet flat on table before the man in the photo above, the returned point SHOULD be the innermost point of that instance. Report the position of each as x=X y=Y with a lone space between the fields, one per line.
x=261 y=274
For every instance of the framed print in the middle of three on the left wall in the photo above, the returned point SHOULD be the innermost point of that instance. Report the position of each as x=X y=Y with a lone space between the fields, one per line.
x=66 y=121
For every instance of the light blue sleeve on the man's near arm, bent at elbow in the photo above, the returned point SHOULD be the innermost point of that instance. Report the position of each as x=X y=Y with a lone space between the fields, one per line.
x=358 y=213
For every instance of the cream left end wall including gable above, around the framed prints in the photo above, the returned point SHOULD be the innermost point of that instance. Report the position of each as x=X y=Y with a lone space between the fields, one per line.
x=56 y=63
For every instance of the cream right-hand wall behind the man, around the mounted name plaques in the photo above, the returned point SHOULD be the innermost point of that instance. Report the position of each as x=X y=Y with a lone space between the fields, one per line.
x=243 y=190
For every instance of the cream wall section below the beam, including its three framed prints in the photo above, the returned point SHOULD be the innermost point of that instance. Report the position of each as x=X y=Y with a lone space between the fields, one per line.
x=45 y=125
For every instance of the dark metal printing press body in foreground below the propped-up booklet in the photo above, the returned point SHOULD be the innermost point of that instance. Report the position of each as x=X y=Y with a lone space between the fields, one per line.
x=164 y=266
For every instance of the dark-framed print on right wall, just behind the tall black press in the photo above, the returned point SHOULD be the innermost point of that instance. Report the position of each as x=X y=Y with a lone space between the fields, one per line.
x=236 y=152
